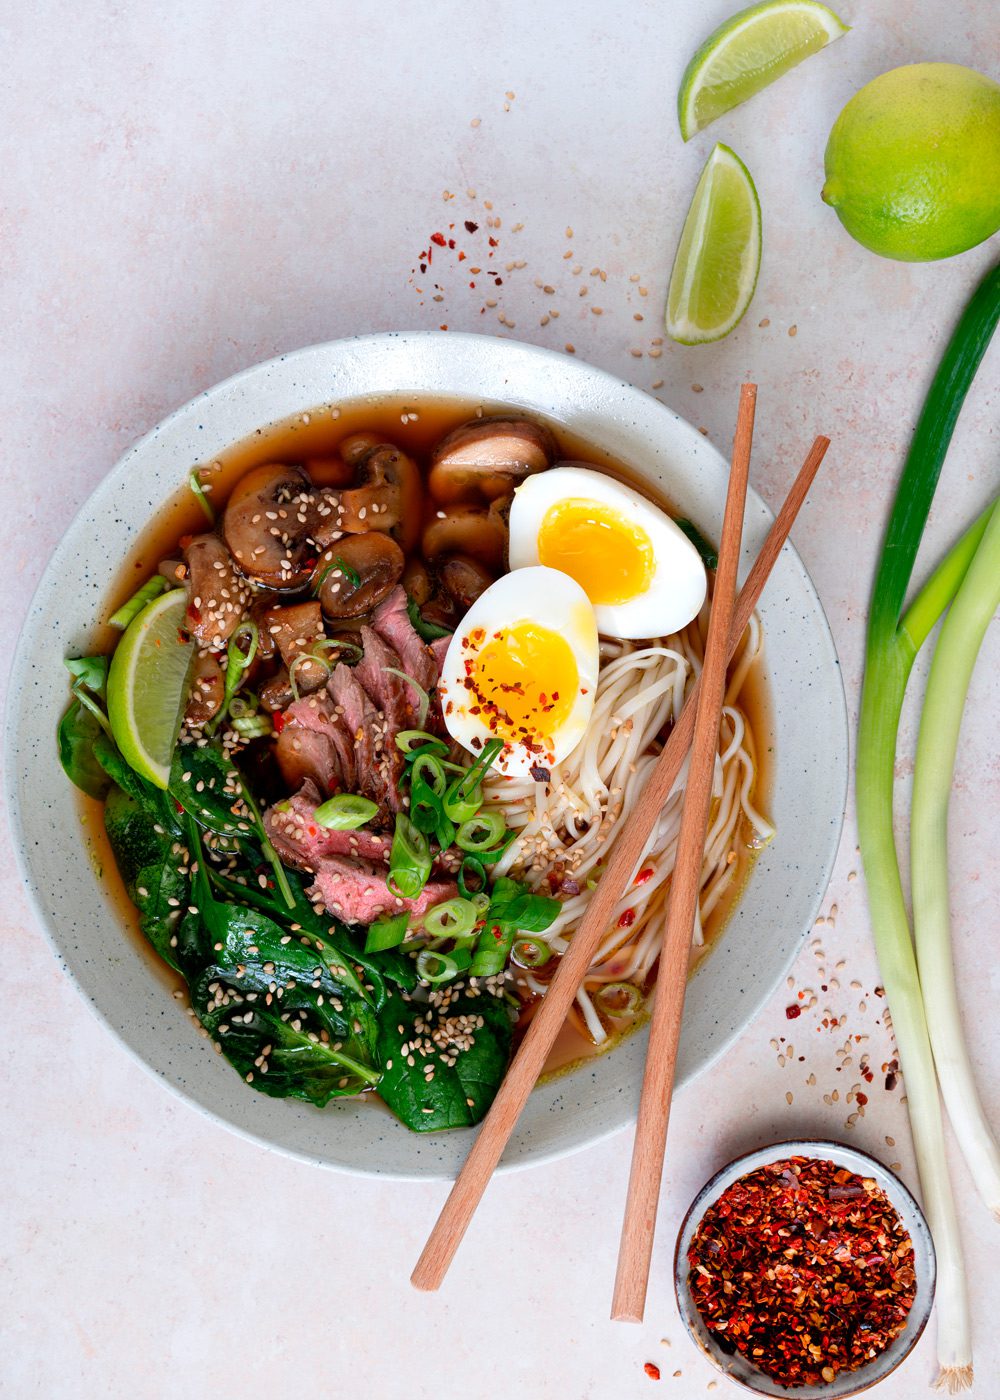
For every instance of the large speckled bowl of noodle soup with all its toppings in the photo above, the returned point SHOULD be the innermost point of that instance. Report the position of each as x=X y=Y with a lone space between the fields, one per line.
x=324 y=719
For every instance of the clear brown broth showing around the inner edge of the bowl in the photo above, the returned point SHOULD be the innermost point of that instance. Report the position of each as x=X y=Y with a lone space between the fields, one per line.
x=415 y=425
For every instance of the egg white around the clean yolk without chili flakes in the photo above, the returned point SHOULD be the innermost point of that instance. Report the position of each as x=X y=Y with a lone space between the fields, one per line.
x=677 y=590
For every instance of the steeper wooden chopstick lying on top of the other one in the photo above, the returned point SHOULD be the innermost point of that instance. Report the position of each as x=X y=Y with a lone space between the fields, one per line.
x=651 y=1144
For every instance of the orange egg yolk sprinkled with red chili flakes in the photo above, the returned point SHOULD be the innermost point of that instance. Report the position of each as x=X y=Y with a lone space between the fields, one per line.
x=526 y=682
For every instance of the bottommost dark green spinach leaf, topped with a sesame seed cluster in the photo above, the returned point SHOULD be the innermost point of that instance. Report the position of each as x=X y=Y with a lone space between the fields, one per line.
x=459 y=1095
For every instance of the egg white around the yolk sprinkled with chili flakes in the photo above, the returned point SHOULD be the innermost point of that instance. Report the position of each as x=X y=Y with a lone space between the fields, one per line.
x=550 y=600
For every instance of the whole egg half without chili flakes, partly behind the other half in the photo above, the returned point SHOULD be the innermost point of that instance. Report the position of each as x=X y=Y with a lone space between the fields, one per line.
x=639 y=569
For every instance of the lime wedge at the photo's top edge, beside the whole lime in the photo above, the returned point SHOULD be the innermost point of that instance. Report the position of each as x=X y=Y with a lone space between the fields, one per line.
x=749 y=52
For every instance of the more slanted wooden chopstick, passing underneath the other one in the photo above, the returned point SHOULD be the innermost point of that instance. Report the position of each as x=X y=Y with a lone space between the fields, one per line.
x=548 y=1021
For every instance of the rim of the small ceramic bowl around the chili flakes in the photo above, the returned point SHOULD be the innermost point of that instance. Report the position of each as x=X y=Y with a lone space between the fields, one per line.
x=848 y=1382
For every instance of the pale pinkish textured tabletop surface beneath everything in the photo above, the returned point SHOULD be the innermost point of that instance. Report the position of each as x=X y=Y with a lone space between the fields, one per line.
x=190 y=188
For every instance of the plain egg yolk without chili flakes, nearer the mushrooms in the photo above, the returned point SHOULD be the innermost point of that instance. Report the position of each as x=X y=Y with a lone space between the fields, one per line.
x=610 y=558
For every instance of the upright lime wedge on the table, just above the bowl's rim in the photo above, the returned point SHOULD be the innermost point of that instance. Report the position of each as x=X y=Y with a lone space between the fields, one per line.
x=719 y=255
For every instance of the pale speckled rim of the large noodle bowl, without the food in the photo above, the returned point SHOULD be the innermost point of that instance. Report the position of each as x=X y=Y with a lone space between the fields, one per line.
x=809 y=716
